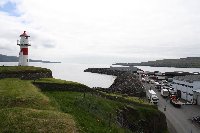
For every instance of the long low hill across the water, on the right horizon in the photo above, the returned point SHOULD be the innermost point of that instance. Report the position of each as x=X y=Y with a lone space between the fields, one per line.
x=189 y=62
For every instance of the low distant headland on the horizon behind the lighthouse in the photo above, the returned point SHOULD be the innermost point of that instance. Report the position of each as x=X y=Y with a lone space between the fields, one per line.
x=5 y=58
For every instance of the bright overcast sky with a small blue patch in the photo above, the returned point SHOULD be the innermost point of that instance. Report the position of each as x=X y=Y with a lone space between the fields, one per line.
x=102 y=31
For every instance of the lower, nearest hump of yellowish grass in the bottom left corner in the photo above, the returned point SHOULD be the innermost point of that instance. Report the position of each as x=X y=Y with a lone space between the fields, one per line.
x=26 y=120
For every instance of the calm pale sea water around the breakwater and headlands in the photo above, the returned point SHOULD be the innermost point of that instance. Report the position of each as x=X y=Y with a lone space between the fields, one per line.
x=75 y=72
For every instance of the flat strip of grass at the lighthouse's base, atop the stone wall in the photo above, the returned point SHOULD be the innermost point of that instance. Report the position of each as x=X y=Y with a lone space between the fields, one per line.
x=19 y=69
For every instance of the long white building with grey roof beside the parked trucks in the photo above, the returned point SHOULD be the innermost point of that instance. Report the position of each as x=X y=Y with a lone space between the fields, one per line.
x=186 y=85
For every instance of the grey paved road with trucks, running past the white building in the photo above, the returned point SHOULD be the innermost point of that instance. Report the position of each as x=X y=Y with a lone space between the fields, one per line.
x=178 y=119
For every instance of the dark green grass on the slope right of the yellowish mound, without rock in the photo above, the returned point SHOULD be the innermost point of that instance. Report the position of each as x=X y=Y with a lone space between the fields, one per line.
x=92 y=112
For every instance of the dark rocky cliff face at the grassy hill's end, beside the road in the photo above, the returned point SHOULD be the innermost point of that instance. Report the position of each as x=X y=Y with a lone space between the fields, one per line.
x=152 y=122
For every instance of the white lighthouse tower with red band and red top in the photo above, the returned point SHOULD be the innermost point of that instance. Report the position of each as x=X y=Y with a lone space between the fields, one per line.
x=23 y=54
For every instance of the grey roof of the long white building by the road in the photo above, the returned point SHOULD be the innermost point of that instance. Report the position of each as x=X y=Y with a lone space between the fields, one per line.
x=188 y=78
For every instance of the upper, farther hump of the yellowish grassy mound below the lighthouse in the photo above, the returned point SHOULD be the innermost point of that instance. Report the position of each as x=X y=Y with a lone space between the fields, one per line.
x=21 y=93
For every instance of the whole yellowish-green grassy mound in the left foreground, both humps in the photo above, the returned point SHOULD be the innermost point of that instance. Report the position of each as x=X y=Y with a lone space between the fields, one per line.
x=23 y=108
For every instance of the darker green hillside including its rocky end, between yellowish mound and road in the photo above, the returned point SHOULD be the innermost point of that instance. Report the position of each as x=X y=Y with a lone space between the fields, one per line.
x=96 y=111
